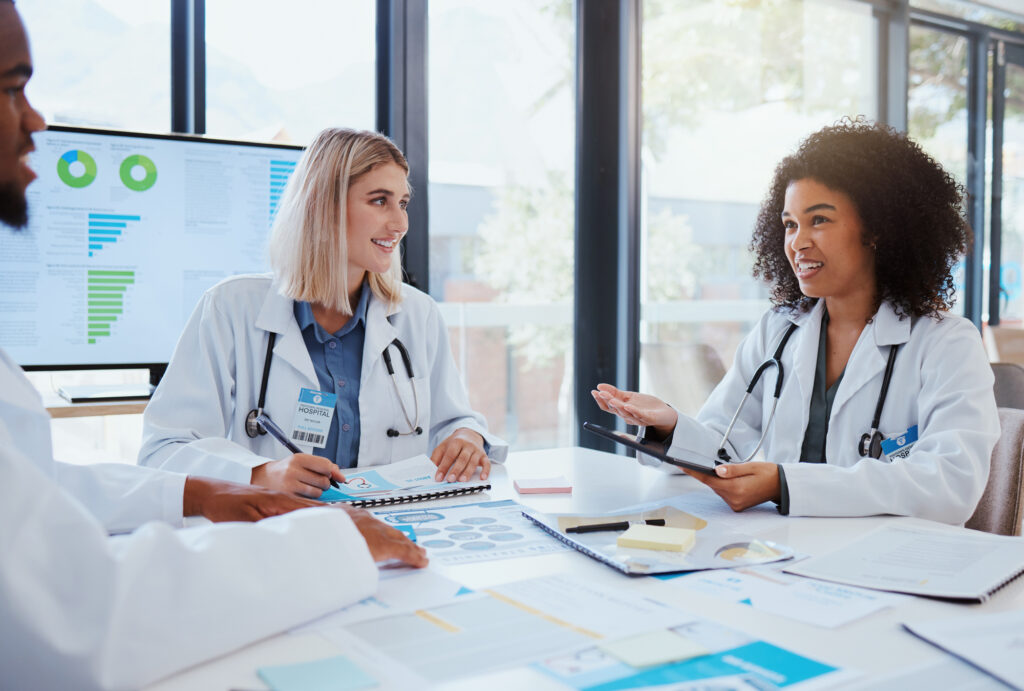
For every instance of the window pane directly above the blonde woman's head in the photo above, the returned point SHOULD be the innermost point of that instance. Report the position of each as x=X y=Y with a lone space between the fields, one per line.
x=284 y=71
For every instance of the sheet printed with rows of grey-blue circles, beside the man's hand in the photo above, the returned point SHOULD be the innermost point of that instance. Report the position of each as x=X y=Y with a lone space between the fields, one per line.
x=474 y=533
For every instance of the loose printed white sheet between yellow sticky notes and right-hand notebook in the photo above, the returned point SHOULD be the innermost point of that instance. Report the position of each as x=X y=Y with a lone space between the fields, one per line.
x=767 y=589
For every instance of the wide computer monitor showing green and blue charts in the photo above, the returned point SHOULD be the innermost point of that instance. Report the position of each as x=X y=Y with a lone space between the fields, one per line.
x=126 y=231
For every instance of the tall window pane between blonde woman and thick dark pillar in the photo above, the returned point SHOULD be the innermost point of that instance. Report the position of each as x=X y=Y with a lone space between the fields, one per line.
x=501 y=207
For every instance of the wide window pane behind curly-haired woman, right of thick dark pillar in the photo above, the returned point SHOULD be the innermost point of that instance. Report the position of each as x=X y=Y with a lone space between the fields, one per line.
x=730 y=89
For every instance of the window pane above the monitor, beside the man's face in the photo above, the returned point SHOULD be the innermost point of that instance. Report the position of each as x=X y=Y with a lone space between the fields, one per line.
x=101 y=63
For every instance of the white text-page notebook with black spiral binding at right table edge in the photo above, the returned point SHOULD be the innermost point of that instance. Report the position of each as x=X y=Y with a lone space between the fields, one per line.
x=930 y=560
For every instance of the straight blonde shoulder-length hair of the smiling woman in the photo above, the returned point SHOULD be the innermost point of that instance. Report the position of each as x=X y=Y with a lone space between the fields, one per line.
x=309 y=243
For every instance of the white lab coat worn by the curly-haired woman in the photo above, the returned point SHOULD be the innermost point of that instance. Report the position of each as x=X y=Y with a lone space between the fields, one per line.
x=942 y=382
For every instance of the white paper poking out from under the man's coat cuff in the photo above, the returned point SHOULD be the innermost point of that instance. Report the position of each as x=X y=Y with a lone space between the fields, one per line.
x=399 y=591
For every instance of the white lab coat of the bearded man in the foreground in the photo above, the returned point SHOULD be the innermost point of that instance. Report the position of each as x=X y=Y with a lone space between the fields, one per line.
x=82 y=611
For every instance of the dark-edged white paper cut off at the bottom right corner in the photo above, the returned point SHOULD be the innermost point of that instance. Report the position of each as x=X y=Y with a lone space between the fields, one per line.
x=992 y=642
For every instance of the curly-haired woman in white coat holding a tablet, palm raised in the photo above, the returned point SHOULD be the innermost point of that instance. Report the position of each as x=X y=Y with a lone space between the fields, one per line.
x=886 y=405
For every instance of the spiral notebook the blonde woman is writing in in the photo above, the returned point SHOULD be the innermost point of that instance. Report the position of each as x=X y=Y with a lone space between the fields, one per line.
x=409 y=481
